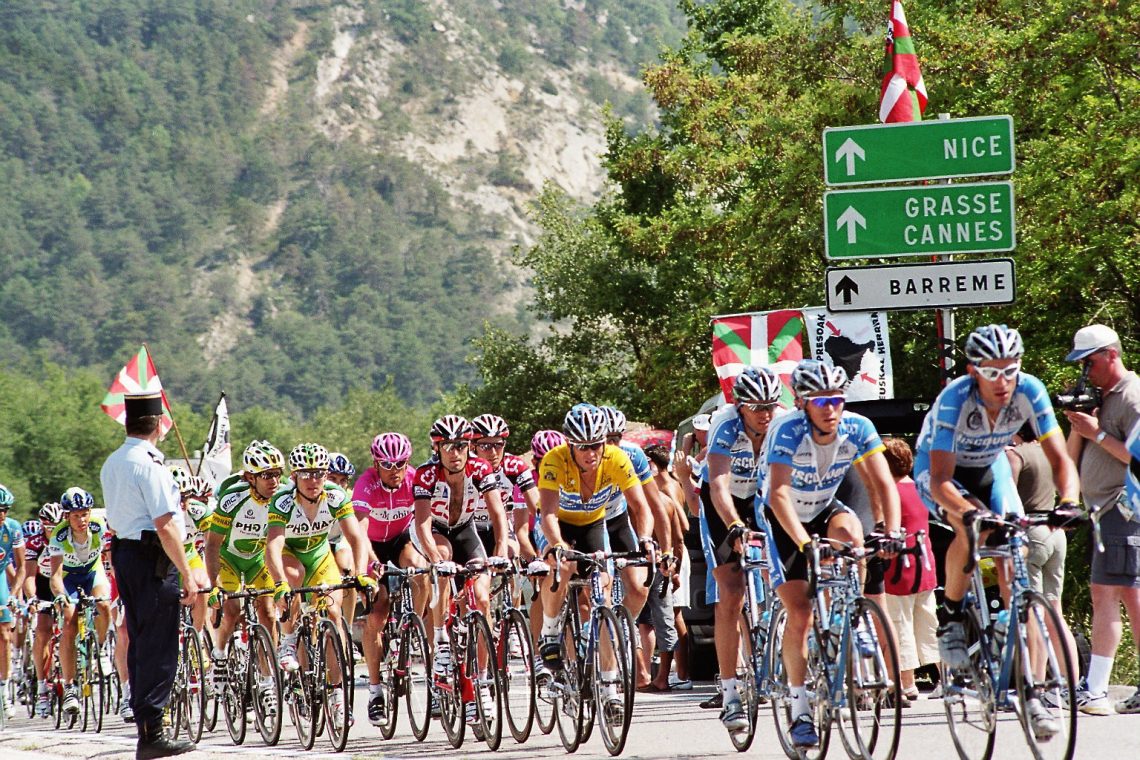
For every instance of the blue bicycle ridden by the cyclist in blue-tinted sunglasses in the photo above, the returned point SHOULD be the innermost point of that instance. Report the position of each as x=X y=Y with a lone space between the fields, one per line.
x=853 y=661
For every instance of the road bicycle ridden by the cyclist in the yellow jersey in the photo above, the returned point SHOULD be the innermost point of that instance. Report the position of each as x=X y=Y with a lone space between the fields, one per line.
x=596 y=680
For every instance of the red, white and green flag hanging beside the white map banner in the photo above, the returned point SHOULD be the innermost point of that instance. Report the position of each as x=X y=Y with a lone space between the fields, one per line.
x=764 y=339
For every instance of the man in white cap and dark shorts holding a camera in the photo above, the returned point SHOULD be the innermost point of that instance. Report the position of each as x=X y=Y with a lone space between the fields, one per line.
x=1097 y=443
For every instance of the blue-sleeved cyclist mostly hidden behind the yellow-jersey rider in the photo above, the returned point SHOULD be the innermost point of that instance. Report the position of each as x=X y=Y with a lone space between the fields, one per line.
x=618 y=525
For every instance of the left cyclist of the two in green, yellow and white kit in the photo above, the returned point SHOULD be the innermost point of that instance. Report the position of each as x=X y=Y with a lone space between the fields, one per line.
x=237 y=543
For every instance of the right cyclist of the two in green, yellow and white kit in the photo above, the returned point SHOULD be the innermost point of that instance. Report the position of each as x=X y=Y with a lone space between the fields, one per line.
x=297 y=550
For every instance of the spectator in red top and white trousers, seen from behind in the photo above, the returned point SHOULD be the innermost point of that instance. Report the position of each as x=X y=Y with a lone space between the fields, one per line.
x=910 y=581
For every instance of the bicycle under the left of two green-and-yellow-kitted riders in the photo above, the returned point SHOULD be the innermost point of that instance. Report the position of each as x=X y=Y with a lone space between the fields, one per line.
x=250 y=674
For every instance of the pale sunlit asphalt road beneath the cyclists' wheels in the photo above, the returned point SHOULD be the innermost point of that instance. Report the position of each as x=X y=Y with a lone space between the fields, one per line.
x=665 y=726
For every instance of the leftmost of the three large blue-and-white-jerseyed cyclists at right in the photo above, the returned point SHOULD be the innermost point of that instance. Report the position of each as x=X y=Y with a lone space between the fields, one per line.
x=729 y=487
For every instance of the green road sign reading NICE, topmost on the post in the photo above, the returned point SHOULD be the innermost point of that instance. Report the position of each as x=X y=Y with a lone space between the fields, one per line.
x=916 y=151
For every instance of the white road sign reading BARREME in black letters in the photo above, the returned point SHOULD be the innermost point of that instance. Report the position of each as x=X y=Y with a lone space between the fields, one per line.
x=935 y=285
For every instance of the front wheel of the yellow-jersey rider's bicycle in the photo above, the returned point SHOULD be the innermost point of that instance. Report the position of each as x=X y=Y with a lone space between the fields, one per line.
x=613 y=689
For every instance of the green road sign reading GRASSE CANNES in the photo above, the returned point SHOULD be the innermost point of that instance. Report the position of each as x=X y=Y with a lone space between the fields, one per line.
x=903 y=222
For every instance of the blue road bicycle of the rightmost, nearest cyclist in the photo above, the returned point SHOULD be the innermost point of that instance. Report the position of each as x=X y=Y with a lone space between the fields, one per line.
x=1030 y=660
